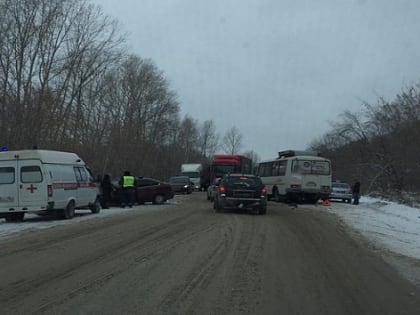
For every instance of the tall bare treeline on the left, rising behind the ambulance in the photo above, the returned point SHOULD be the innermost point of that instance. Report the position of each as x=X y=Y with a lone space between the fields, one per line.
x=67 y=83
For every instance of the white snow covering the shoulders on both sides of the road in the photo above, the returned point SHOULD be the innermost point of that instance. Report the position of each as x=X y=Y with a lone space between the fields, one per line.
x=387 y=224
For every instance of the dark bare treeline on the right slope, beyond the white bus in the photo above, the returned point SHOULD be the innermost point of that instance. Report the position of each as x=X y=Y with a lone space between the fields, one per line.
x=378 y=146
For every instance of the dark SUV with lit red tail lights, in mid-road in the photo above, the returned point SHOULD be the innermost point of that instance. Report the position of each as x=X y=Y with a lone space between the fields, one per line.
x=241 y=191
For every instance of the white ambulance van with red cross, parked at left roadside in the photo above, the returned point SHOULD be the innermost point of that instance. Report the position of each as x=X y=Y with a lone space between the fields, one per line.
x=45 y=182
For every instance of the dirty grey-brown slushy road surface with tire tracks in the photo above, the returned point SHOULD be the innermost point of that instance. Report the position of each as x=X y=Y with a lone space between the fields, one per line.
x=184 y=258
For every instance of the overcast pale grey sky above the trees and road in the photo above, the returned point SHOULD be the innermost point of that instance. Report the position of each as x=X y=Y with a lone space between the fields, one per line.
x=278 y=70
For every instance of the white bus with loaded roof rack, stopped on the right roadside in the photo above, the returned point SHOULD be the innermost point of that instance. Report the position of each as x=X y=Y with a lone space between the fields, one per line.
x=296 y=176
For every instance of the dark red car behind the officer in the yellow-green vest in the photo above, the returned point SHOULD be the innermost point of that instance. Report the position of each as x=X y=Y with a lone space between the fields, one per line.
x=147 y=190
